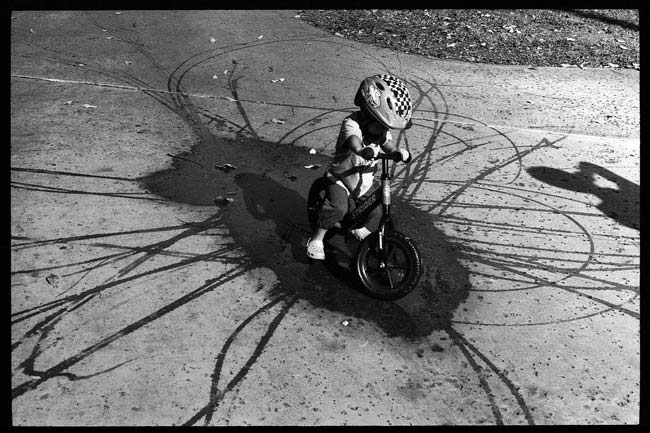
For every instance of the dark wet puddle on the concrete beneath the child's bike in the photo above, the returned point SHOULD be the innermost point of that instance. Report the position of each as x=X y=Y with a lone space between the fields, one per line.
x=267 y=218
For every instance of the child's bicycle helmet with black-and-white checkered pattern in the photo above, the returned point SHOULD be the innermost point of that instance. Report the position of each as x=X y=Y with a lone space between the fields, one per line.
x=387 y=99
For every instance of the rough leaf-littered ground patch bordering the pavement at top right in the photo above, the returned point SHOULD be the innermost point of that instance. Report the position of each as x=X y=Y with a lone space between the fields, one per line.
x=582 y=38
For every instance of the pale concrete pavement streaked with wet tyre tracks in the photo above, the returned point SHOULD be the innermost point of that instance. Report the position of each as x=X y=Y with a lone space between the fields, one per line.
x=137 y=301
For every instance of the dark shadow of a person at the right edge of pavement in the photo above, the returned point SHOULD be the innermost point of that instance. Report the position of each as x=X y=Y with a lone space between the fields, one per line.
x=621 y=203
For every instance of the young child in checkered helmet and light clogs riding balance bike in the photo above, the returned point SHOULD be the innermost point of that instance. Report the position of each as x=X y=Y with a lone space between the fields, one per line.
x=385 y=103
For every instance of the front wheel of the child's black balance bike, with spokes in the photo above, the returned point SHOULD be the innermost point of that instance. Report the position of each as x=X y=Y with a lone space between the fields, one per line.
x=391 y=273
